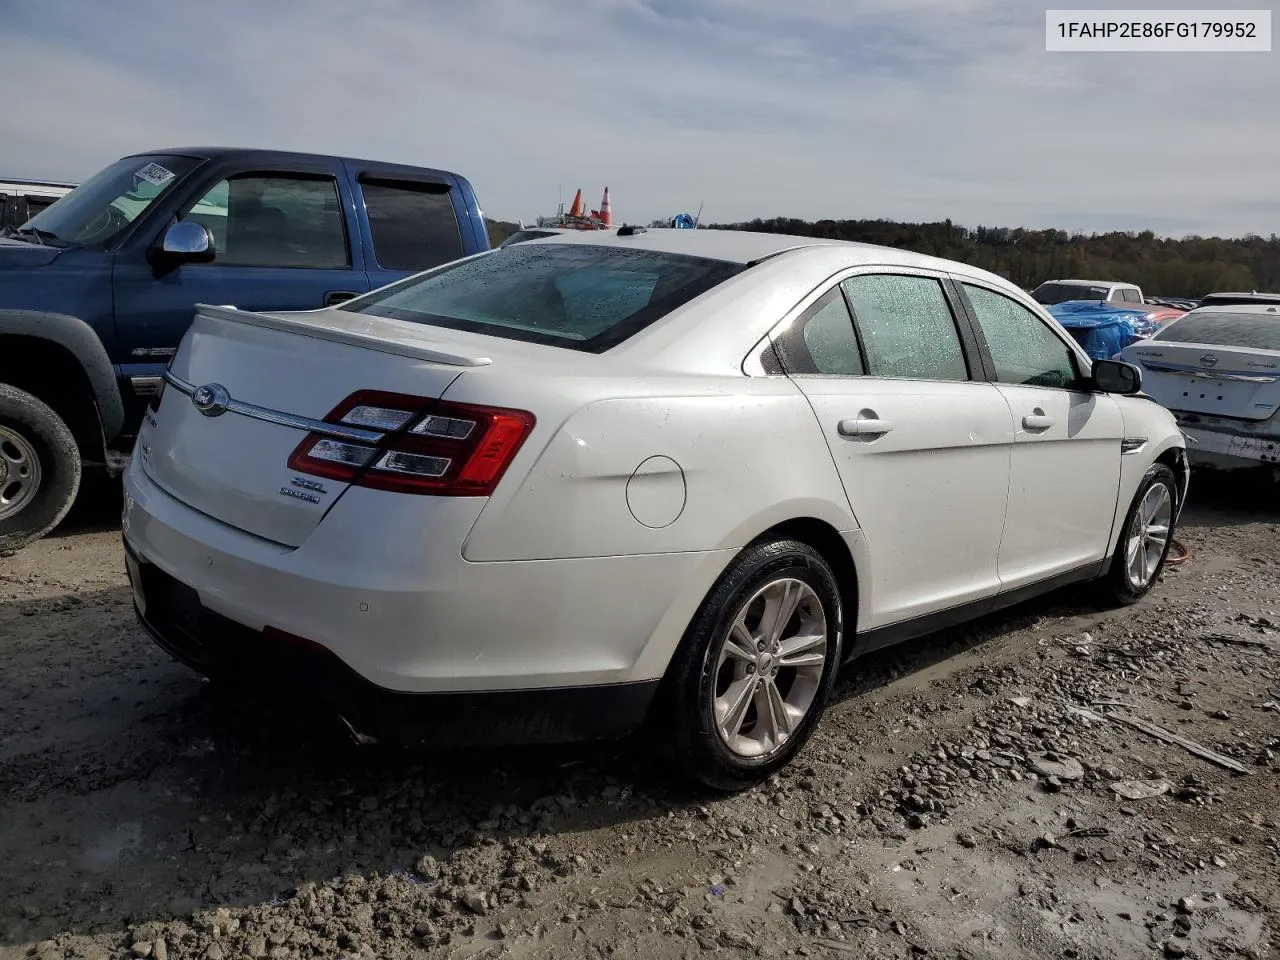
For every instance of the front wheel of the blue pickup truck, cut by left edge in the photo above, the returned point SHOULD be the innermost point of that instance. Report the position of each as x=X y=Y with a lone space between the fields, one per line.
x=40 y=469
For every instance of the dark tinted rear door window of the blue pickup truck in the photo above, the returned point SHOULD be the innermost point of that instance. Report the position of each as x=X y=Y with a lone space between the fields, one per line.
x=414 y=225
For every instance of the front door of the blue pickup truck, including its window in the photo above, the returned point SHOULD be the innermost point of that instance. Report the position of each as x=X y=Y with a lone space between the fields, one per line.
x=281 y=244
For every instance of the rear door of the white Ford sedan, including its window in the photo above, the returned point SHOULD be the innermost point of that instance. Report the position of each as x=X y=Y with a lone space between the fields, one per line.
x=922 y=445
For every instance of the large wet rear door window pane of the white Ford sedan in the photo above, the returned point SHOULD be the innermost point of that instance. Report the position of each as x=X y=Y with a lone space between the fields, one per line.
x=907 y=327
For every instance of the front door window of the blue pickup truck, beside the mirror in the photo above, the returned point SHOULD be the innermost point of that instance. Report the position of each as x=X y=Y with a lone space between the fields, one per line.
x=275 y=221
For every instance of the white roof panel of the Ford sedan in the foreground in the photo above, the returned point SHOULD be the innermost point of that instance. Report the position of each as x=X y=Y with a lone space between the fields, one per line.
x=743 y=246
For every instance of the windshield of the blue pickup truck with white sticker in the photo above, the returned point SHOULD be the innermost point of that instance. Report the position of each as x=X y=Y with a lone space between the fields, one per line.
x=99 y=211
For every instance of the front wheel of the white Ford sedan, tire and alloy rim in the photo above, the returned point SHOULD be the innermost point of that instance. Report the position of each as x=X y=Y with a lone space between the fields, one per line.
x=1154 y=509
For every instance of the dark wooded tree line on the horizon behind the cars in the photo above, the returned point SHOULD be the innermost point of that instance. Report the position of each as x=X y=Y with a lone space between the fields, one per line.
x=1191 y=267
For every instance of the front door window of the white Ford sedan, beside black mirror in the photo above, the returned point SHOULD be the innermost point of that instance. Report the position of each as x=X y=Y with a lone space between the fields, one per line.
x=1026 y=351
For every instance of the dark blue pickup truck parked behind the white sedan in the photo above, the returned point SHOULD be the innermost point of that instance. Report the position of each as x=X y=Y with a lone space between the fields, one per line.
x=98 y=290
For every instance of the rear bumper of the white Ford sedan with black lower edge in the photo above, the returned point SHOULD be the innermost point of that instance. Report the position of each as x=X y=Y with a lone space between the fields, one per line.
x=392 y=612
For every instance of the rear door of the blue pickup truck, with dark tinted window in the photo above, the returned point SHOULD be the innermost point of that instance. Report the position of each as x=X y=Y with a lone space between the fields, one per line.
x=410 y=225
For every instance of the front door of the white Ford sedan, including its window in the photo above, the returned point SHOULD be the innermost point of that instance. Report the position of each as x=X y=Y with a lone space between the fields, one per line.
x=1066 y=467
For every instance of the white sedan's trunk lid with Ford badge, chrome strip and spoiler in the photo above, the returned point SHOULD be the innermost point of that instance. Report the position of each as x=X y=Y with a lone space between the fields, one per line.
x=246 y=390
